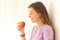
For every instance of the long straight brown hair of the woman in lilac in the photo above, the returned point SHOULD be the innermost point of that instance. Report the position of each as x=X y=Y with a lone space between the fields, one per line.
x=40 y=8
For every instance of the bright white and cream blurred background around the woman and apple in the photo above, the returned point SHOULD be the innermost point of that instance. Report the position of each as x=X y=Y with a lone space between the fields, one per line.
x=14 y=11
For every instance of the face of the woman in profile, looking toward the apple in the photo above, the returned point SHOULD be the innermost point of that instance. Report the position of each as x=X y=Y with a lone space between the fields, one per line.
x=33 y=15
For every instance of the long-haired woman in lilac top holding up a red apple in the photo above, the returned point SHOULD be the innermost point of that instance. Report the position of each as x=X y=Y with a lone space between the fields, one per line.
x=44 y=29
